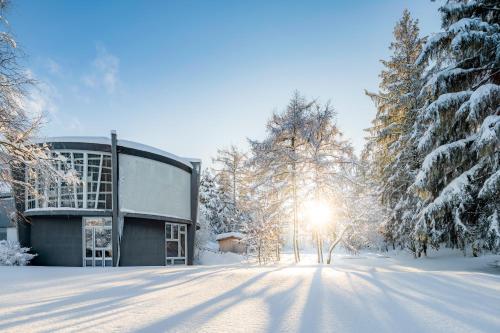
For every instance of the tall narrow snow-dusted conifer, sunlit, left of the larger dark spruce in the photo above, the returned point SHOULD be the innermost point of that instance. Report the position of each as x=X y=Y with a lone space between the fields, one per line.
x=393 y=154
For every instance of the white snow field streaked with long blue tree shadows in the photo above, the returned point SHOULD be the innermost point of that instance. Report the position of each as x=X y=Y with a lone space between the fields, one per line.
x=372 y=293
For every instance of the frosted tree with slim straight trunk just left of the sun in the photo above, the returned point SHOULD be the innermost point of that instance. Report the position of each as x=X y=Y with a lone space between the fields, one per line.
x=281 y=156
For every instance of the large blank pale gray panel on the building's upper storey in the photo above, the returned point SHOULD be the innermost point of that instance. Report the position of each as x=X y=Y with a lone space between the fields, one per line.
x=152 y=187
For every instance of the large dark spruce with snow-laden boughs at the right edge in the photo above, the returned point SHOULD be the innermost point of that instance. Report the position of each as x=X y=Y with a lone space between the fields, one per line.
x=459 y=128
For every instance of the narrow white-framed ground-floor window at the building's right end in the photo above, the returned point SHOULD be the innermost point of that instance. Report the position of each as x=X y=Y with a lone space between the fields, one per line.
x=175 y=243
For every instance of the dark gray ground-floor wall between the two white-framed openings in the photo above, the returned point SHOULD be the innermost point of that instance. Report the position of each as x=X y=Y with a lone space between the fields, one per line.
x=143 y=243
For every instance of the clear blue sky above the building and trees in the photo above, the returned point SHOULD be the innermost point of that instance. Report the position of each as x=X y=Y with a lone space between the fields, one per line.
x=193 y=76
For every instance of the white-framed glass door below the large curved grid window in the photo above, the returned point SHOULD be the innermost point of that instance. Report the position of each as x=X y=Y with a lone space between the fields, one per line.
x=97 y=246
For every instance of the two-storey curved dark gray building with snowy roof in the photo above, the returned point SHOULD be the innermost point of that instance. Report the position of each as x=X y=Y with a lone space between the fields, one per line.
x=79 y=224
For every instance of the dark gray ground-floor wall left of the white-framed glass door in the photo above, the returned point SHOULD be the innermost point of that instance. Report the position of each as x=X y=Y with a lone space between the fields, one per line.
x=57 y=240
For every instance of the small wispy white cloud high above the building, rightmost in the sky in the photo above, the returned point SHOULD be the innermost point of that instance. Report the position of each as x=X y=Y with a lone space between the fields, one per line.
x=104 y=71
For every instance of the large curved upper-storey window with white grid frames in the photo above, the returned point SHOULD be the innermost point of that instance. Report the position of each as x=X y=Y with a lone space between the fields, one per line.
x=93 y=191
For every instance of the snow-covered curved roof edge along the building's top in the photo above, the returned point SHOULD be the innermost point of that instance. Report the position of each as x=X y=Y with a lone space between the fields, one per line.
x=122 y=143
